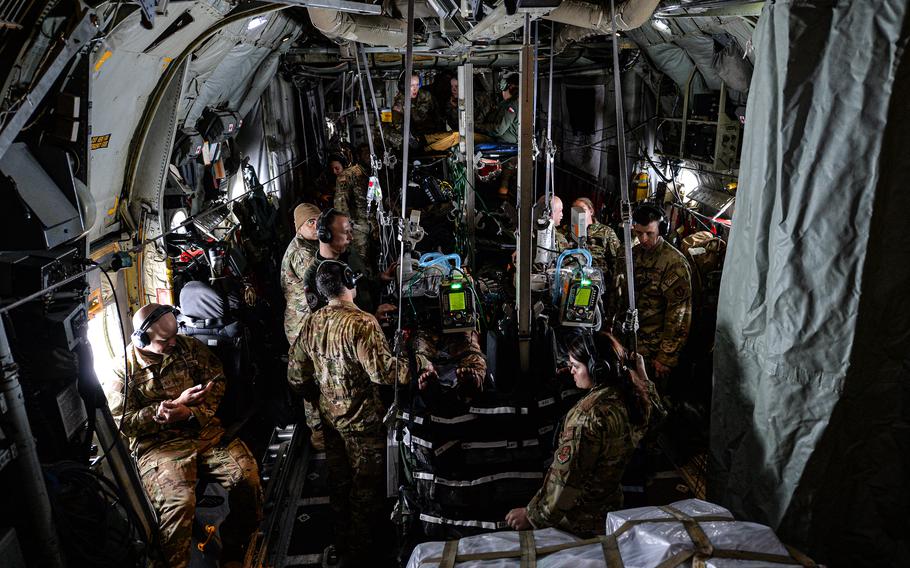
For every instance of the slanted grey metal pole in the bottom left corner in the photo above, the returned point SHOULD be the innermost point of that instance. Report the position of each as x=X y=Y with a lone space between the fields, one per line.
x=44 y=547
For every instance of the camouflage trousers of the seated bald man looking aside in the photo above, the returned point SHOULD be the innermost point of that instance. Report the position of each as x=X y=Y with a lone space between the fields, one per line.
x=169 y=474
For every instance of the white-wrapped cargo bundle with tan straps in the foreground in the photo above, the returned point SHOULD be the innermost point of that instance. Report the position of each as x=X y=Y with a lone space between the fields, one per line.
x=635 y=538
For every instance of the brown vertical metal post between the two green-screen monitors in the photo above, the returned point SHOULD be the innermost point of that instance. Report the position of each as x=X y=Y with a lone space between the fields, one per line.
x=525 y=196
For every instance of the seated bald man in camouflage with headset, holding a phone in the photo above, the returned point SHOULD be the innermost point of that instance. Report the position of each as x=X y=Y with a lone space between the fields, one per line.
x=174 y=388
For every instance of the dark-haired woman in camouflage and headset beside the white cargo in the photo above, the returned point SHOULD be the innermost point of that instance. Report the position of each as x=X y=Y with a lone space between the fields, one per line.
x=595 y=443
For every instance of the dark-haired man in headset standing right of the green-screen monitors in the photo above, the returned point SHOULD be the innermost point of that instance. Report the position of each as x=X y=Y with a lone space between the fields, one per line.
x=663 y=289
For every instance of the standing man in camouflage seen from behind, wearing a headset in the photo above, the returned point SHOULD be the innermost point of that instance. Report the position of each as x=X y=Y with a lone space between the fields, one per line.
x=338 y=360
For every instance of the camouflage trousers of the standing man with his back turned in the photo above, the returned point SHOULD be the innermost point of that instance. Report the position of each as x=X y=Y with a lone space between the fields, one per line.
x=356 y=475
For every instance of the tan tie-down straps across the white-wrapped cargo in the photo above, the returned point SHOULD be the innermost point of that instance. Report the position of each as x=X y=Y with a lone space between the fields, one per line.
x=528 y=553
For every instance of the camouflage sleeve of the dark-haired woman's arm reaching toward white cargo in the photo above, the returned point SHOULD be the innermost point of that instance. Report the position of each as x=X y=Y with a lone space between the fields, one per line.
x=582 y=445
